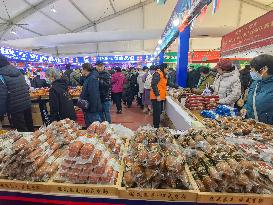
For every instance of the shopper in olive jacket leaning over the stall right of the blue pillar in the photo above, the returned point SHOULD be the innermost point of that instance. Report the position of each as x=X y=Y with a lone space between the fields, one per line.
x=206 y=80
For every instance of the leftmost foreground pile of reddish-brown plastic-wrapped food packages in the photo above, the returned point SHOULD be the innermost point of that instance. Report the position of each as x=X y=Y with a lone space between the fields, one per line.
x=36 y=156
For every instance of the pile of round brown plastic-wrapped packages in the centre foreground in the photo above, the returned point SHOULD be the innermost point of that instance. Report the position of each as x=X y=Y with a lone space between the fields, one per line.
x=154 y=161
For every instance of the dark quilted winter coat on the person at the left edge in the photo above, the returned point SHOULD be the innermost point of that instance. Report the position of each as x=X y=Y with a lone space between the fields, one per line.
x=14 y=95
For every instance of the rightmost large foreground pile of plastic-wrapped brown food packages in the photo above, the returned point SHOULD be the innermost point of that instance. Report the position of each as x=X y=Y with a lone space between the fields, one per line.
x=217 y=164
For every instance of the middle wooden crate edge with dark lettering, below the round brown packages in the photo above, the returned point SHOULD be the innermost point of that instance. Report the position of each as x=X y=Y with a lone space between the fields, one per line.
x=161 y=194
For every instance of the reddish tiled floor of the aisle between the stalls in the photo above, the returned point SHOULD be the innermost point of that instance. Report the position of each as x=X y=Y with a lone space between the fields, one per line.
x=132 y=117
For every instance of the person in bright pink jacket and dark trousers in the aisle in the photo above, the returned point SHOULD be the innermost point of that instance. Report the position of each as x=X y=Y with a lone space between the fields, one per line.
x=118 y=81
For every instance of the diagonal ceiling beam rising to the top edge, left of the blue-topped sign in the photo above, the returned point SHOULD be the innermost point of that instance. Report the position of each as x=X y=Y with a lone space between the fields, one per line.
x=109 y=17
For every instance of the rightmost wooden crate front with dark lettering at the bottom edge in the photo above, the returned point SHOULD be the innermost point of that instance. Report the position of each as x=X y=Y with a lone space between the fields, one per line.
x=234 y=198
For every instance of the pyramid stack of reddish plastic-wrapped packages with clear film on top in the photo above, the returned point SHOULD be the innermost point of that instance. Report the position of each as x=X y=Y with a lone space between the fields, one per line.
x=89 y=161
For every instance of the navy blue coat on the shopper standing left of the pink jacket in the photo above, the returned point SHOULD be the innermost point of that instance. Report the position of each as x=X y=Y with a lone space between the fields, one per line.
x=91 y=92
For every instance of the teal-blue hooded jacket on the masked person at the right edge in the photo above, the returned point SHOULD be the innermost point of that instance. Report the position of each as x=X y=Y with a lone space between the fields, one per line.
x=263 y=100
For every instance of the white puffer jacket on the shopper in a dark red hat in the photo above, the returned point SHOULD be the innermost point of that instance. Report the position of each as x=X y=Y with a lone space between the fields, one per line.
x=228 y=87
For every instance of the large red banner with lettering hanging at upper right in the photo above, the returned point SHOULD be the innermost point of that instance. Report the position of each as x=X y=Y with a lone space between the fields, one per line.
x=256 y=34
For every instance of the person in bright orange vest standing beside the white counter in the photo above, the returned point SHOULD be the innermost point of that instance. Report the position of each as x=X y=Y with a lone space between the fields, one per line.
x=158 y=92
